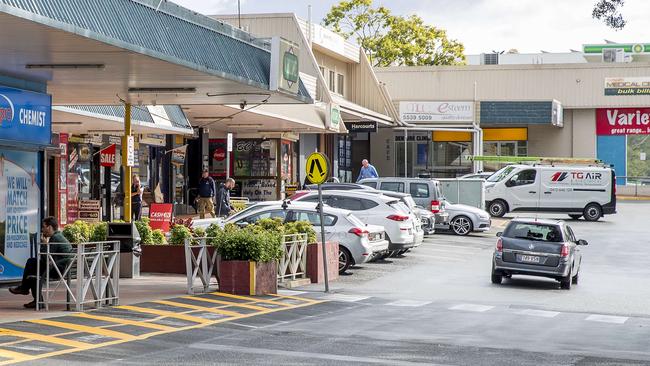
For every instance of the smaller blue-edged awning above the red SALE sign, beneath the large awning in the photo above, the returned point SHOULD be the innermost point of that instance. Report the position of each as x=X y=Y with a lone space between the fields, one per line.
x=167 y=119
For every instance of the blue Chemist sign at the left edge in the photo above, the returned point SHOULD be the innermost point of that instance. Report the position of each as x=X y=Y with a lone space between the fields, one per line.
x=25 y=116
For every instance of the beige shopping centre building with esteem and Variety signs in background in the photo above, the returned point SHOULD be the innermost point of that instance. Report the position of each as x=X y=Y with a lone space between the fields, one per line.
x=590 y=104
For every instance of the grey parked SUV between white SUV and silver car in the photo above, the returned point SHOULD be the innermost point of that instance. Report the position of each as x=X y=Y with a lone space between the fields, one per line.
x=425 y=192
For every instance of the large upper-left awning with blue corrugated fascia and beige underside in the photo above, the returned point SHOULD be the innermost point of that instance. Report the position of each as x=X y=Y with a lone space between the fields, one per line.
x=145 y=52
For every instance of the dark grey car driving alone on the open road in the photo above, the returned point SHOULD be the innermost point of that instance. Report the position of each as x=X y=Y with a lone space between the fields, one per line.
x=543 y=248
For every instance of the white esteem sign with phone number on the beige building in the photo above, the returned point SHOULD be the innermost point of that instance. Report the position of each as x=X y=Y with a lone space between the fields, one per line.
x=436 y=111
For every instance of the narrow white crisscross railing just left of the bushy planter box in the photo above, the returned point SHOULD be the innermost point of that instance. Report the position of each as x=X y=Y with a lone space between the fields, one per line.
x=199 y=264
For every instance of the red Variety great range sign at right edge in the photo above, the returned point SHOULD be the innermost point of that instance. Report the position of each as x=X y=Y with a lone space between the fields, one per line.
x=622 y=121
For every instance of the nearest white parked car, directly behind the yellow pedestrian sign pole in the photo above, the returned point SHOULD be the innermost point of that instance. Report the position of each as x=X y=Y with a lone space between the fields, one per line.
x=358 y=242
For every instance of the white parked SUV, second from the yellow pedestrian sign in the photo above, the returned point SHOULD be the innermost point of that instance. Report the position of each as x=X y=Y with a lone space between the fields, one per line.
x=402 y=228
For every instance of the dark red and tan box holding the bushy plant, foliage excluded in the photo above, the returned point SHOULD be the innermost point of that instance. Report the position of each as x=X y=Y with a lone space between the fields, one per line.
x=248 y=278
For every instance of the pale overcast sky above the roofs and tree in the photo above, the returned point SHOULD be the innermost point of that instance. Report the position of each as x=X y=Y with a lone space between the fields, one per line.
x=482 y=25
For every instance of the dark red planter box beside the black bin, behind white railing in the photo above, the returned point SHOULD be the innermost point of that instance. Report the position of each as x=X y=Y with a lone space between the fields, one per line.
x=164 y=258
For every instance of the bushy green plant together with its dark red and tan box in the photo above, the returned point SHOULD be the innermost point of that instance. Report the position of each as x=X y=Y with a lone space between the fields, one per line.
x=248 y=259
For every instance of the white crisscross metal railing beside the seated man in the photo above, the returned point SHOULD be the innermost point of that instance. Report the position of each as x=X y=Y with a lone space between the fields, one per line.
x=91 y=276
